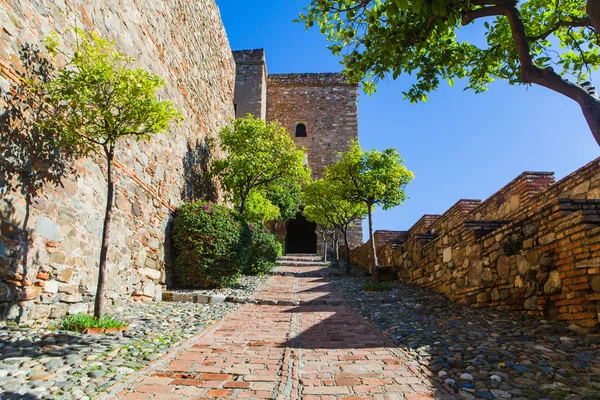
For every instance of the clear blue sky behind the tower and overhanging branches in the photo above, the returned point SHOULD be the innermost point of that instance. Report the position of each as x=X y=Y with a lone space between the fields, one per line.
x=458 y=144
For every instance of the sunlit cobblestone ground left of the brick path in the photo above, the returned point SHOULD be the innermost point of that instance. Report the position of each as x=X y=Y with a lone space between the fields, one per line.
x=43 y=363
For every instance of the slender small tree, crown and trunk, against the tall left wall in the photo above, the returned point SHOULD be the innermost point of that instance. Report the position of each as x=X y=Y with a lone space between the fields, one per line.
x=104 y=99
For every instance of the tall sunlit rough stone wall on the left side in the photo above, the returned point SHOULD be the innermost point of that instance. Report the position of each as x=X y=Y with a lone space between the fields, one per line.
x=183 y=42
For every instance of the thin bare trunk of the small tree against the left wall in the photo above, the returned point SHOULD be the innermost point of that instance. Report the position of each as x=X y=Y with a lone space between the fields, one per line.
x=99 y=304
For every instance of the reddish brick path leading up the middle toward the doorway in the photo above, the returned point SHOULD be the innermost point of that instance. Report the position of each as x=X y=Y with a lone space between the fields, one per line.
x=309 y=351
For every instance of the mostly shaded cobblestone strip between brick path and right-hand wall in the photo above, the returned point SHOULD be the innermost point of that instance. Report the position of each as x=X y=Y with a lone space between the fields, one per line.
x=483 y=353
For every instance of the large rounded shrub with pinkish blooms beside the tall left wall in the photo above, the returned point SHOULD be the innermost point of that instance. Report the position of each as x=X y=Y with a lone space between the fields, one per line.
x=212 y=244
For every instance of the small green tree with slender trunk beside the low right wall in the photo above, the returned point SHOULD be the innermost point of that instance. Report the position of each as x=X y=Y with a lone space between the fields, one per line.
x=371 y=178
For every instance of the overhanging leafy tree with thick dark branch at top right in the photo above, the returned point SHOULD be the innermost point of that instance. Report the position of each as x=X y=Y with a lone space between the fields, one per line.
x=542 y=42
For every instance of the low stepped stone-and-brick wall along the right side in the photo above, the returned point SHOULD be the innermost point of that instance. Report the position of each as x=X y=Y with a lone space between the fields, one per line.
x=533 y=247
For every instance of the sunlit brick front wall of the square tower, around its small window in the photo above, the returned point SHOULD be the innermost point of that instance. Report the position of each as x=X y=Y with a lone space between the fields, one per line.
x=327 y=104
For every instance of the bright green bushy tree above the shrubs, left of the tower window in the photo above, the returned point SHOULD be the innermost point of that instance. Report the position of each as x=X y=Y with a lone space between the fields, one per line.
x=263 y=171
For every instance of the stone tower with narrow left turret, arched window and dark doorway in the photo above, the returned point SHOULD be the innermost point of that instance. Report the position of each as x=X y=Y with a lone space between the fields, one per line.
x=319 y=112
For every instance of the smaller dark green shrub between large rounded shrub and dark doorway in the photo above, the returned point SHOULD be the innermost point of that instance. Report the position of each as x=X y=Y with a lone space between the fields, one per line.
x=265 y=248
